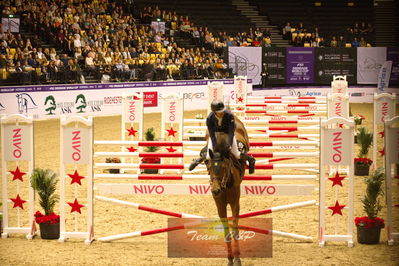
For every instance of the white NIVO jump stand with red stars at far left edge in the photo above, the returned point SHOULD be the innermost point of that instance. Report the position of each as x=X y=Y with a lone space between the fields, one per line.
x=17 y=146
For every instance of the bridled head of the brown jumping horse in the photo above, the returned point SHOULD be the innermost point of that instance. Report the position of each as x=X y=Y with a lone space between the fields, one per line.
x=219 y=170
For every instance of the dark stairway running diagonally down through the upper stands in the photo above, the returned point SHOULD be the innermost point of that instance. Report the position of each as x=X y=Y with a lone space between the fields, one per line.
x=260 y=21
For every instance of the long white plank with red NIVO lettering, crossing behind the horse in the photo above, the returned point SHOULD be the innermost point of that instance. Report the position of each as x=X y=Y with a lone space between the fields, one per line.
x=202 y=189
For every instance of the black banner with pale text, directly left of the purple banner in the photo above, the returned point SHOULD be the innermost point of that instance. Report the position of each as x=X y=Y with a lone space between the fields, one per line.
x=275 y=61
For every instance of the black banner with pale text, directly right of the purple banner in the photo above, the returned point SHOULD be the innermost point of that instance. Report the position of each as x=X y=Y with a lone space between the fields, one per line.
x=335 y=61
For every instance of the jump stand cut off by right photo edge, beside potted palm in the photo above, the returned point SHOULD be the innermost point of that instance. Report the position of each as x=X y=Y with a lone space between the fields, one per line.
x=391 y=160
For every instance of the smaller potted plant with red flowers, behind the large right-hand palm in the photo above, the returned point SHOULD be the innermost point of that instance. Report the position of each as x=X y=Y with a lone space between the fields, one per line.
x=362 y=163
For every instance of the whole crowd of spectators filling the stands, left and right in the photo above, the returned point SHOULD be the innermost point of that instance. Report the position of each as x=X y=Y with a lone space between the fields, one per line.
x=113 y=40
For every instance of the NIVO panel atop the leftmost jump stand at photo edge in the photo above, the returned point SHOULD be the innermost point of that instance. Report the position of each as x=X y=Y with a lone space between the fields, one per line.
x=17 y=144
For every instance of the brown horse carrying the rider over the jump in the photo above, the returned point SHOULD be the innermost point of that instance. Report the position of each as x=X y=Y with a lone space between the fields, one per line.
x=226 y=173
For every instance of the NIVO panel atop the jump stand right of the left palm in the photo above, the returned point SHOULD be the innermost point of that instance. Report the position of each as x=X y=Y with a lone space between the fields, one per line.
x=76 y=143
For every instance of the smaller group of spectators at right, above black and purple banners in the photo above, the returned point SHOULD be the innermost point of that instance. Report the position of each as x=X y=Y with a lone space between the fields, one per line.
x=358 y=35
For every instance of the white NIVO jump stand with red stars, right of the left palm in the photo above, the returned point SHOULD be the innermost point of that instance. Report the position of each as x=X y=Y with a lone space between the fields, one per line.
x=76 y=145
